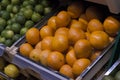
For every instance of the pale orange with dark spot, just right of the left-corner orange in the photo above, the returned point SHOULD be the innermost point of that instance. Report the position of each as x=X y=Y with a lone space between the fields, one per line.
x=34 y=54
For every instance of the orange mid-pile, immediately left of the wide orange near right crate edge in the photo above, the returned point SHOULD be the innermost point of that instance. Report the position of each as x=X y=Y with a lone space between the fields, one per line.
x=75 y=34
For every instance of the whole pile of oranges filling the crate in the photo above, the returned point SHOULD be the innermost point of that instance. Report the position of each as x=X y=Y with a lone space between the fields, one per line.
x=71 y=40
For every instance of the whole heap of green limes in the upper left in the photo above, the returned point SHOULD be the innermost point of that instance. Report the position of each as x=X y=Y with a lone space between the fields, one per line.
x=17 y=16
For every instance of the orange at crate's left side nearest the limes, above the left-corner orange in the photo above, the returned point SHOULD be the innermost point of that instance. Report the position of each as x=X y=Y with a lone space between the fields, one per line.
x=33 y=36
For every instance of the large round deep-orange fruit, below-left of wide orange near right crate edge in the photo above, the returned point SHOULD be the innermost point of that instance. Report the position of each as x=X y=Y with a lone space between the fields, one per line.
x=83 y=48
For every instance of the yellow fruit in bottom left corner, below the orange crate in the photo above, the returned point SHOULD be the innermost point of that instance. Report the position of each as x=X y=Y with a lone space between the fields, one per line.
x=11 y=70
